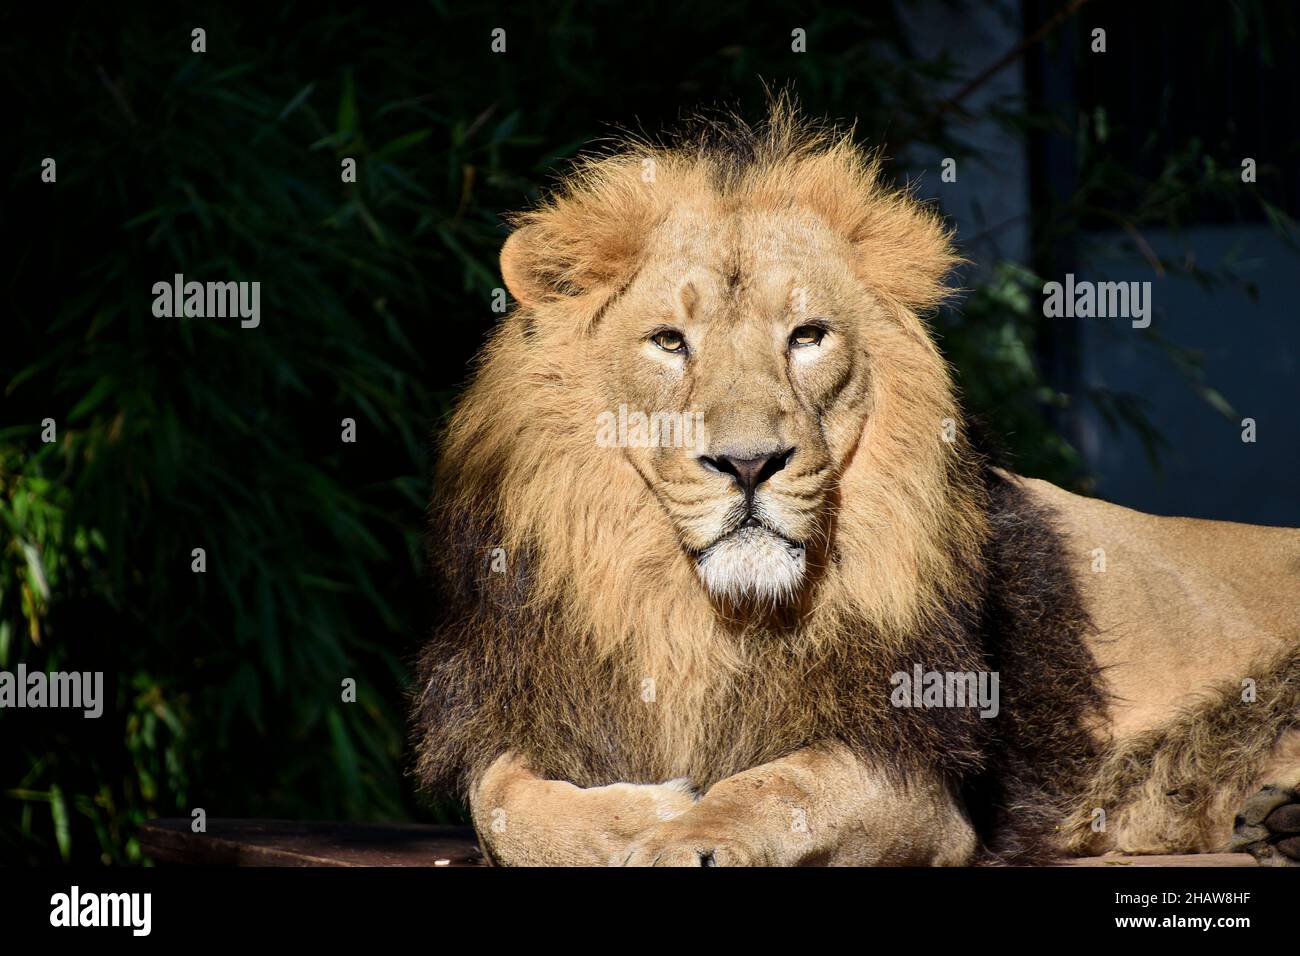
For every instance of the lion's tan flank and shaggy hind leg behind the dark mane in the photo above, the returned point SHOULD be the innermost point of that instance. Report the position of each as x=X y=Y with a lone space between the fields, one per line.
x=1188 y=616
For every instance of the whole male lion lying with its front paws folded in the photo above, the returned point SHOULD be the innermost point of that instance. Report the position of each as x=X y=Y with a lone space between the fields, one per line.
x=671 y=654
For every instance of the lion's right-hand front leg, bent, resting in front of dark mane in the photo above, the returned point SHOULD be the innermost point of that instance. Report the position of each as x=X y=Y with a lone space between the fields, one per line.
x=814 y=807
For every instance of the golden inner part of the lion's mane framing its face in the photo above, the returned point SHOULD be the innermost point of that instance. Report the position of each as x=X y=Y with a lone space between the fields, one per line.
x=601 y=561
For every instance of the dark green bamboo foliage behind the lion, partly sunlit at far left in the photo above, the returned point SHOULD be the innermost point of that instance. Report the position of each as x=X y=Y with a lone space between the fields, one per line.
x=224 y=689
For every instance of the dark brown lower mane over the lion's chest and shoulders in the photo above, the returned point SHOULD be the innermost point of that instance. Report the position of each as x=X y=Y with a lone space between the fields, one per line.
x=501 y=674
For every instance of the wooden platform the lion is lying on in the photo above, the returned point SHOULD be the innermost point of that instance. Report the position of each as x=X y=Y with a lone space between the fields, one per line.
x=284 y=843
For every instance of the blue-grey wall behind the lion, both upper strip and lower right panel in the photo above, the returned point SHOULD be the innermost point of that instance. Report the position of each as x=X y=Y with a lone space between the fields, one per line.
x=1251 y=349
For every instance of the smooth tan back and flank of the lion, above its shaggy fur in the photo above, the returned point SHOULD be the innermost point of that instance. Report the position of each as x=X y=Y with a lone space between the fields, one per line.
x=1178 y=604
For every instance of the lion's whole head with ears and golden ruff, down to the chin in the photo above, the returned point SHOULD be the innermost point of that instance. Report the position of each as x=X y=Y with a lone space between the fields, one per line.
x=740 y=327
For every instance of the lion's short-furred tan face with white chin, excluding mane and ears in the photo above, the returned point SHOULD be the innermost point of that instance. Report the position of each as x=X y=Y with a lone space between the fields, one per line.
x=742 y=341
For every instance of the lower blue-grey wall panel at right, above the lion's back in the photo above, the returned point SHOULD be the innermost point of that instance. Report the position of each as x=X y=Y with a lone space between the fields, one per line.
x=1251 y=353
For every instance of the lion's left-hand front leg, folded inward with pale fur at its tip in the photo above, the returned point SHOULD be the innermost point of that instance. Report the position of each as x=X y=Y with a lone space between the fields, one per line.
x=525 y=820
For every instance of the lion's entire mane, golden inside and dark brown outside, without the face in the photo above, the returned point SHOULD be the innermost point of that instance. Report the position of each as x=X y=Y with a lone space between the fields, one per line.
x=574 y=628
